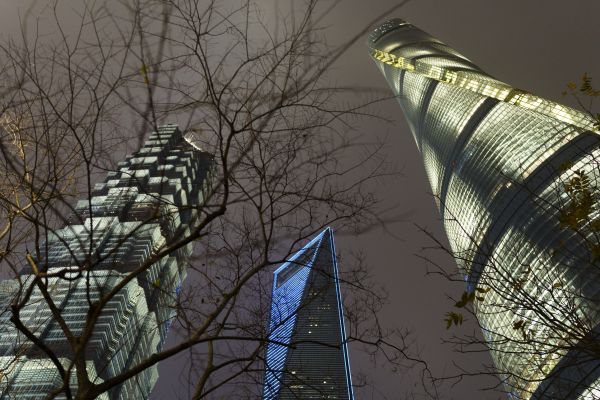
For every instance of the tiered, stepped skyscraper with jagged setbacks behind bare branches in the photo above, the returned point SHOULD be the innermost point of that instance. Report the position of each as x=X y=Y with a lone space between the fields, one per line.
x=150 y=201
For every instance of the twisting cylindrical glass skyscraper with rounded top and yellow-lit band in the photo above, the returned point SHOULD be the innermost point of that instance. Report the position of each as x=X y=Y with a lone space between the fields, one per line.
x=515 y=179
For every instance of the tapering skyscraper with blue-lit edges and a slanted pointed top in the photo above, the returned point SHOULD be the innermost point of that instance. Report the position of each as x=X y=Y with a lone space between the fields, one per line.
x=307 y=357
